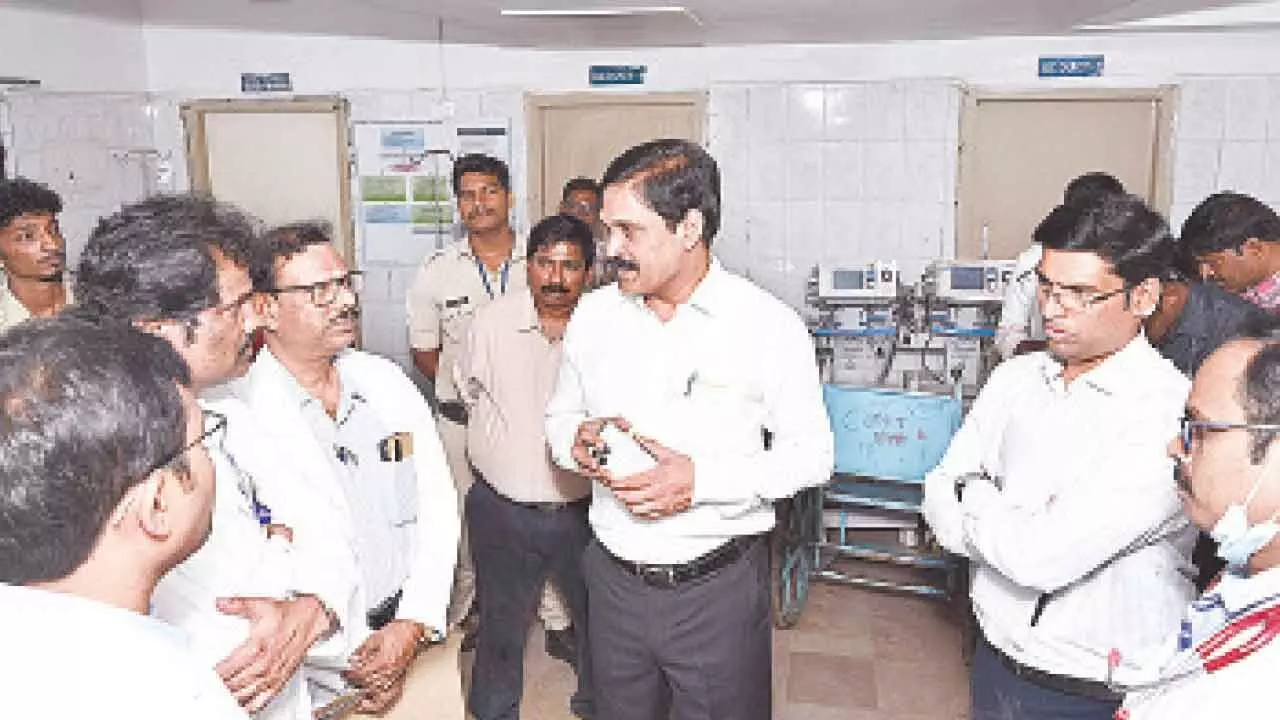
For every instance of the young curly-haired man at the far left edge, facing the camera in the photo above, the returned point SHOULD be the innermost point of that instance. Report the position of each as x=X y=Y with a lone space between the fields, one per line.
x=33 y=253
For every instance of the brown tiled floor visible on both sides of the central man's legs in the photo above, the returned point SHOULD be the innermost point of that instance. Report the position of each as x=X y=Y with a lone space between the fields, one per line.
x=856 y=655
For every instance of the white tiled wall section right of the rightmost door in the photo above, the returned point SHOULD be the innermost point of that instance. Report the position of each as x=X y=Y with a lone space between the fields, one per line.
x=1227 y=138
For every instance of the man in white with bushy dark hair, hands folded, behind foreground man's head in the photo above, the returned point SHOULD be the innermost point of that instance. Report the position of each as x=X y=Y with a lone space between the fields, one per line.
x=255 y=605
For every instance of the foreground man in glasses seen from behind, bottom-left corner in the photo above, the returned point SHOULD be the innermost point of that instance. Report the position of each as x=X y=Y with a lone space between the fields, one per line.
x=104 y=486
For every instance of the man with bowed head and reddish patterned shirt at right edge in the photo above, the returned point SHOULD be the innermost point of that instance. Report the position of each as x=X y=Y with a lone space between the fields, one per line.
x=1236 y=243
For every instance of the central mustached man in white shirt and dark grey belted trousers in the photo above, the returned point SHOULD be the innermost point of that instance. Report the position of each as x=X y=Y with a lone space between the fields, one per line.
x=700 y=364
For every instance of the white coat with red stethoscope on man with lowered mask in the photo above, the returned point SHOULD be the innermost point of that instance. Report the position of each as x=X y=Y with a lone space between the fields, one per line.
x=1241 y=691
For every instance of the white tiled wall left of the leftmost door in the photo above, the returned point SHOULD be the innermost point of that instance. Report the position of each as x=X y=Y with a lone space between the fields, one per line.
x=95 y=151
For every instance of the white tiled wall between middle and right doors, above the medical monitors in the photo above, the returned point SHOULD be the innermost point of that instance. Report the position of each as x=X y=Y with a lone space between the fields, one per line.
x=835 y=174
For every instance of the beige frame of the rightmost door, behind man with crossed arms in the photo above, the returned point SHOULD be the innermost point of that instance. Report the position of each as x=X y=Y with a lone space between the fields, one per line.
x=1165 y=98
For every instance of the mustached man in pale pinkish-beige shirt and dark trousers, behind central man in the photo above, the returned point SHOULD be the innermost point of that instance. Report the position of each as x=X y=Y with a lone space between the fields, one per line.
x=528 y=517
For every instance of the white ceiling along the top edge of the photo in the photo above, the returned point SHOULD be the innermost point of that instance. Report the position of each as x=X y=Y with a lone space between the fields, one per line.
x=720 y=22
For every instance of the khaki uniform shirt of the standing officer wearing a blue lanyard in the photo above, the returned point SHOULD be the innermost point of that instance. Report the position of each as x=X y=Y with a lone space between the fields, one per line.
x=449 y=290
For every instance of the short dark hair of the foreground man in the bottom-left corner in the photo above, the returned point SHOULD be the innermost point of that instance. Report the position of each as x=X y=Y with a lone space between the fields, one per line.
x=90 y=411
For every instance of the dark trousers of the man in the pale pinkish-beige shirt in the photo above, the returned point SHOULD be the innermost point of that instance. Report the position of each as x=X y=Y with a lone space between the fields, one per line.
x=515 y=549
